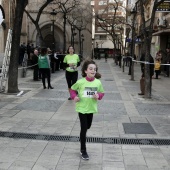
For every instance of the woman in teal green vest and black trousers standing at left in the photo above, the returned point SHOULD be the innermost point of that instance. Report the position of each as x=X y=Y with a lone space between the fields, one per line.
x=44 y=66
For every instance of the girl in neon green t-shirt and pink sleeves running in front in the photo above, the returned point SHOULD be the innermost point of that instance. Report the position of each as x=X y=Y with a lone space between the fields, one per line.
x=85 y=92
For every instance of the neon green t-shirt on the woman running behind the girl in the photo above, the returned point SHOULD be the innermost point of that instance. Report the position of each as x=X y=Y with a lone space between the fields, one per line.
x=71 y=59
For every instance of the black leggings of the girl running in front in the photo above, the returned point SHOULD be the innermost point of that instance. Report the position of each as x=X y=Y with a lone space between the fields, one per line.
x=85 y=123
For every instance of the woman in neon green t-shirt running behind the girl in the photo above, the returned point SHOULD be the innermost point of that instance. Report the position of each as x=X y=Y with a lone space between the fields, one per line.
x=71 y=62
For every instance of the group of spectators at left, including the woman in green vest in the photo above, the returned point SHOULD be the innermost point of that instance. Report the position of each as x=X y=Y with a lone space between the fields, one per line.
x=54 y=58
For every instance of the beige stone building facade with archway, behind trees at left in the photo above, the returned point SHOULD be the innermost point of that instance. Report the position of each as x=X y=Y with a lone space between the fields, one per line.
x=29 y=33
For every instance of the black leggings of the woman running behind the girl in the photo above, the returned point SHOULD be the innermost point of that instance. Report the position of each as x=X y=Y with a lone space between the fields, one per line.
x=71 y=78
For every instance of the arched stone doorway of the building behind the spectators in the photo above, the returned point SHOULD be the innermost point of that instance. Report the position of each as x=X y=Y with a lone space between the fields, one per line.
x=48 y=37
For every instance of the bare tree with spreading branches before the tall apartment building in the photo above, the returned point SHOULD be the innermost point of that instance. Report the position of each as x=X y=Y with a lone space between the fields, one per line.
x=112 y=23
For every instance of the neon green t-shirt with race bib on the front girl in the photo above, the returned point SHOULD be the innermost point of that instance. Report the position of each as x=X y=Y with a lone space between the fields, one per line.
x=85 y=90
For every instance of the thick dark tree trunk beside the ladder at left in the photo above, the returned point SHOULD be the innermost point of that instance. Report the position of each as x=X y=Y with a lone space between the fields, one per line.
x=13 y=67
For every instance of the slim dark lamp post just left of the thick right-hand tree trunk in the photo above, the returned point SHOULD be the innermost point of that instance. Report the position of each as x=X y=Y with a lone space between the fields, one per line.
x=131 y=67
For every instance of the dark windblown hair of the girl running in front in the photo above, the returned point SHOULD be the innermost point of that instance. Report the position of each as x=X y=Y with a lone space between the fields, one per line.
x=85 y=66
